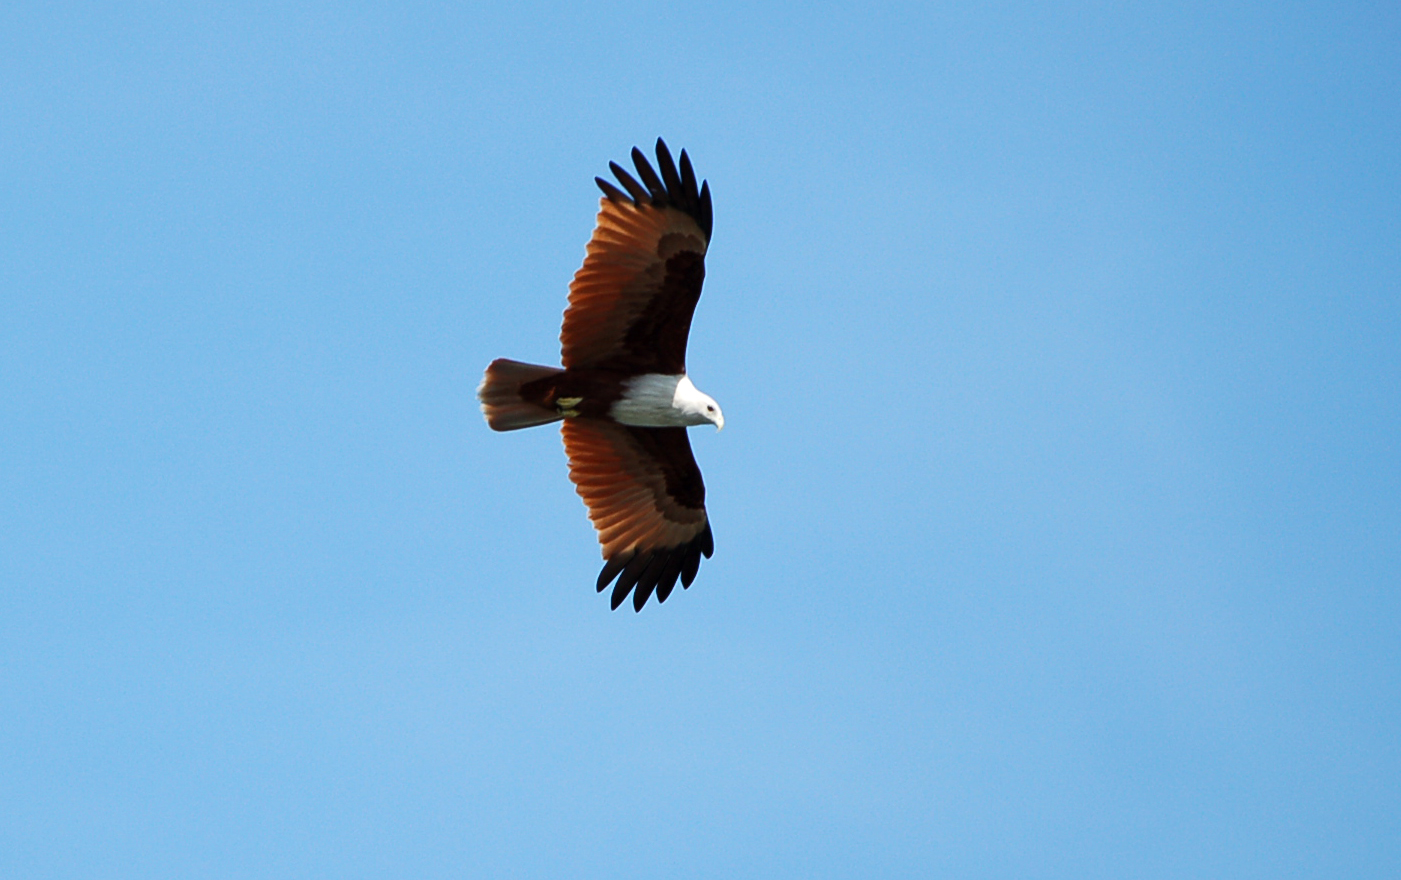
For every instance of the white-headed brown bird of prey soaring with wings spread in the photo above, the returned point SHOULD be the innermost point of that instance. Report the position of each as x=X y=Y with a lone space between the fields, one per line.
x=623 y=393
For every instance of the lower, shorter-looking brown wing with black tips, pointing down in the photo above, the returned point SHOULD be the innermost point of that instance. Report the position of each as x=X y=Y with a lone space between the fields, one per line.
x=647 y=500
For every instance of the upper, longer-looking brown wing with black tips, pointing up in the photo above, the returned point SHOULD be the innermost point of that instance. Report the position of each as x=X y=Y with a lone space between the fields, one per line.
x=631 y=303
